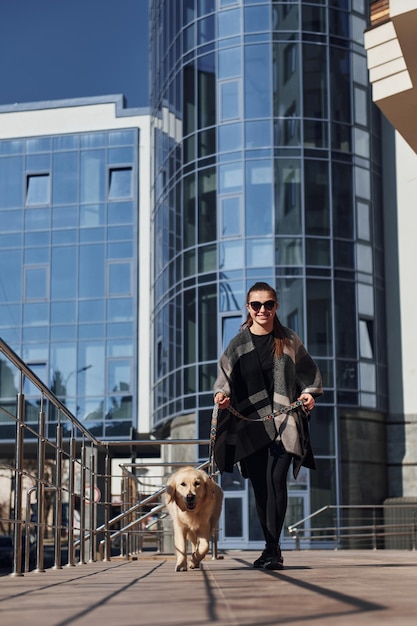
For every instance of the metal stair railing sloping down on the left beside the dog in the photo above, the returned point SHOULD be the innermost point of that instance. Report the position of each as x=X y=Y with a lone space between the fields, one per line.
x=57 y=480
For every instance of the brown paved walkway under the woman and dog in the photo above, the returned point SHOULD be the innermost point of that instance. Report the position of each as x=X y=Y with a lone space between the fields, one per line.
x=316 y=587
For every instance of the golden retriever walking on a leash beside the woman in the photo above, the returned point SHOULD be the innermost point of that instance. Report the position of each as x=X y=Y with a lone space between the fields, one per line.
x=194 y=502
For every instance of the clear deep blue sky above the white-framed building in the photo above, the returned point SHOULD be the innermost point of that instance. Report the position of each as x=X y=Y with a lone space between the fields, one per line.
x=54 y=49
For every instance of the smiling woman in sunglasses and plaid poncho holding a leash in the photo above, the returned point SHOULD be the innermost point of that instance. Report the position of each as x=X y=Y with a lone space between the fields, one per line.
x=264 y=368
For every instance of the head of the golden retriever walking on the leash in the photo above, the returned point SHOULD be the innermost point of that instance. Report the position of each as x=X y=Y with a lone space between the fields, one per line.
x=187 y=487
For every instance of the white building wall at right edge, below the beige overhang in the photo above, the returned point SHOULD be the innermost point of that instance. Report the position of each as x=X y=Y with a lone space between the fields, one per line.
x=400 y=201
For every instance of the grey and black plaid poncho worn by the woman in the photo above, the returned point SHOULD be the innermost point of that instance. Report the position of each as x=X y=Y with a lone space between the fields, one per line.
x=240 y=377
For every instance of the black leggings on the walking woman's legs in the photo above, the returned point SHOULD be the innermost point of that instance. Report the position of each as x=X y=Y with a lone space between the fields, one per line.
x=267 y=470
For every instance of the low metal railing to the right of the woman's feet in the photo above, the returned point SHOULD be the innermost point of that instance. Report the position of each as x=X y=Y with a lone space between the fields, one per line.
x=358 y=526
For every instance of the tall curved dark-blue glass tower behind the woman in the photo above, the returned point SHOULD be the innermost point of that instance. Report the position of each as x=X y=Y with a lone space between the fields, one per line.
x=267 y=167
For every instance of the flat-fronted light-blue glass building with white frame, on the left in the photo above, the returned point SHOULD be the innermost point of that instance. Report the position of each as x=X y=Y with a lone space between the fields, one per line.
x=70 y=242
